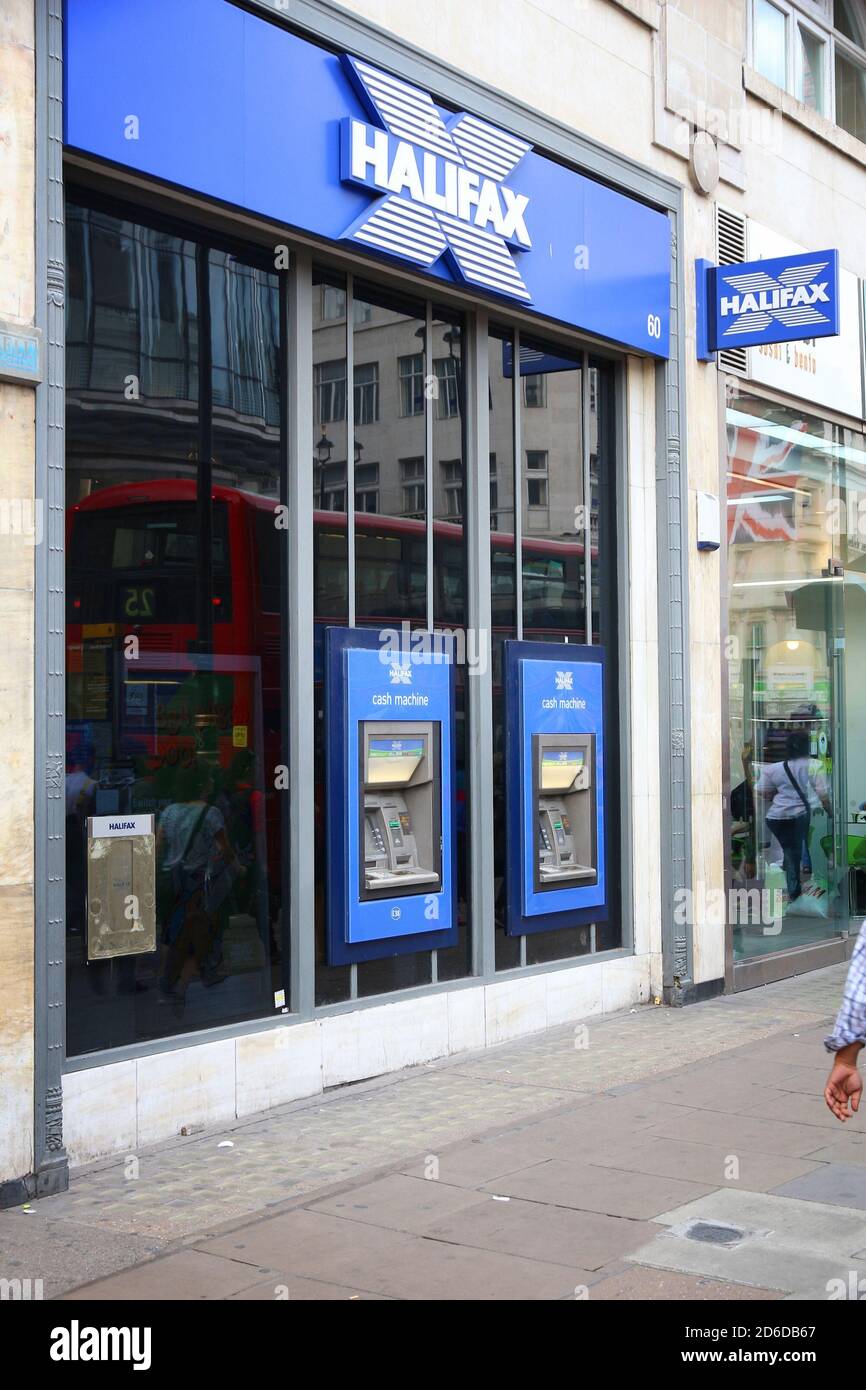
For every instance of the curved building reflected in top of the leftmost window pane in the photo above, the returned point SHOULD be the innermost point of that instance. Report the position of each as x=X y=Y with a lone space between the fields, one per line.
x=136 y=368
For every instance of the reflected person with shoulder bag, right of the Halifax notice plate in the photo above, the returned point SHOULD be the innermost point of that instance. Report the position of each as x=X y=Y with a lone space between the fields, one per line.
x=194 y=854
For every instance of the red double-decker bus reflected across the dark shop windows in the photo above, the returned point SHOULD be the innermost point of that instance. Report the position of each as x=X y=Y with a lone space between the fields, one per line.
x=202 y=679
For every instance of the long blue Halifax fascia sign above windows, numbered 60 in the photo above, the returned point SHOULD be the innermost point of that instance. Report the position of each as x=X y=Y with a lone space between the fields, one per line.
x=209 y=98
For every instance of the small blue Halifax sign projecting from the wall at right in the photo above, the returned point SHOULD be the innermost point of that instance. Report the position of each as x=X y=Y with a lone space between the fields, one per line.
x=776 y=301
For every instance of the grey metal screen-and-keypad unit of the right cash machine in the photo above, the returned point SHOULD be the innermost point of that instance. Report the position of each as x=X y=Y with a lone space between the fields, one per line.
x=565 y=818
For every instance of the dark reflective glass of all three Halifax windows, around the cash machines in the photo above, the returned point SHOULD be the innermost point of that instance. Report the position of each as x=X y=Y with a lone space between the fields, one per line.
x=177 y=573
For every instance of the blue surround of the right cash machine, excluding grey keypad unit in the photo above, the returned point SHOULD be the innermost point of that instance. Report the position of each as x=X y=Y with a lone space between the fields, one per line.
x=551 y=690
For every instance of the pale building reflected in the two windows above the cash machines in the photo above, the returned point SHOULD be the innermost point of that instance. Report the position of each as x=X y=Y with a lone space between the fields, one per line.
x=390 y=386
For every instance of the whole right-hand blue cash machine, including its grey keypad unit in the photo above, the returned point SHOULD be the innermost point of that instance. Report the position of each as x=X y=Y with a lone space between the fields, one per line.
x=557 y=864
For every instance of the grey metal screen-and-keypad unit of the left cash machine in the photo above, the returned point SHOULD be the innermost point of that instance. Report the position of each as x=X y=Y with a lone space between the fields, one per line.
x=402 y=808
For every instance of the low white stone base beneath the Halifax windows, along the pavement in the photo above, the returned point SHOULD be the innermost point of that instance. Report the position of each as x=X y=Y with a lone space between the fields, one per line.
x=130 y=1104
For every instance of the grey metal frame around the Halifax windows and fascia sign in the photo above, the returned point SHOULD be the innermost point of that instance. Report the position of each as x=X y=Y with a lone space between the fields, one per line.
x=329 y=23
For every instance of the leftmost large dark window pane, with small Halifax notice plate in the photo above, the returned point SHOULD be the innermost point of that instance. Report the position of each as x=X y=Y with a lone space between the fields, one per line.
x=173 y=557
